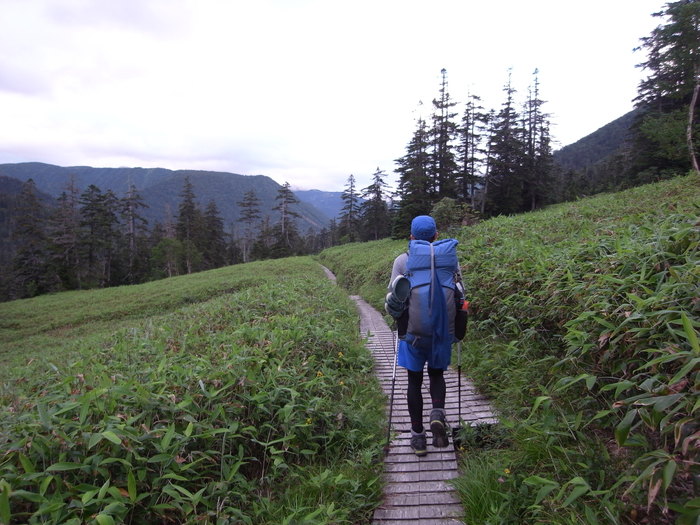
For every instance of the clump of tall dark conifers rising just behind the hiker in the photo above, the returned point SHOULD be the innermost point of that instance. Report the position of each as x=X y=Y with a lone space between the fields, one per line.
x=480 y=163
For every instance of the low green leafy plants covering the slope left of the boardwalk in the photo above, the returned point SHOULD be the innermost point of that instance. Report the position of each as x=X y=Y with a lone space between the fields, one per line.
x=239 y=395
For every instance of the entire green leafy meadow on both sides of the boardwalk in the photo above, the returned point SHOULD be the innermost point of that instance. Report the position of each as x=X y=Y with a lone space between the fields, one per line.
x=245 y=394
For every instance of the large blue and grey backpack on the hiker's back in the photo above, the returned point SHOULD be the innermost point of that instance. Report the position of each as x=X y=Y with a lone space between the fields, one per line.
x=432 y=303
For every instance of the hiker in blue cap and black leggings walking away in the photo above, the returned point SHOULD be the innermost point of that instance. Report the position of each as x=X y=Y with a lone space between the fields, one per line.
x=437 y=353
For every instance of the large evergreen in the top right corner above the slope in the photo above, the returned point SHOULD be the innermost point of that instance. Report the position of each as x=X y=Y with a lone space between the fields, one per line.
x=670 y=94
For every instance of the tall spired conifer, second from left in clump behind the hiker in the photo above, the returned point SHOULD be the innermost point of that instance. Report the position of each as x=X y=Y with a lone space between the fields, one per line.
x=443 y=172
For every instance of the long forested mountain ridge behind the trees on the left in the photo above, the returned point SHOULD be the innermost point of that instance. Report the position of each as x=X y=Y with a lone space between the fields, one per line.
x=161 y=188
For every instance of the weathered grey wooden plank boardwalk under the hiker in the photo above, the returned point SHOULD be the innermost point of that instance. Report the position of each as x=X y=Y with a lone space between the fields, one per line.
x=417 y=490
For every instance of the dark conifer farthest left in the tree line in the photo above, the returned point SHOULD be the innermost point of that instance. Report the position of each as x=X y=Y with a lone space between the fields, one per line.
x=31 y=261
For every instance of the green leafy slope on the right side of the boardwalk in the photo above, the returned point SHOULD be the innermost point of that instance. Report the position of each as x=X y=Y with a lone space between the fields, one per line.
x=584 y=332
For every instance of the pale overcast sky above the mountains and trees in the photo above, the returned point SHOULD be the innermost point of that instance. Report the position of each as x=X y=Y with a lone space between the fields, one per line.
x=304 y=91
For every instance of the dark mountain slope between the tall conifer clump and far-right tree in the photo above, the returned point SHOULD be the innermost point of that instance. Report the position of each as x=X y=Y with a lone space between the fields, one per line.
x=597 y=146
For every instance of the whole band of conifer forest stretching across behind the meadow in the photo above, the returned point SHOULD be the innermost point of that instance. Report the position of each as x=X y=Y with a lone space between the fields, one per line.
x=459 y=166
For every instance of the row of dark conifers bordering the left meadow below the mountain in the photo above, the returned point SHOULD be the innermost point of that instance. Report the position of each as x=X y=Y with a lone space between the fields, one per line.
x=96 y=239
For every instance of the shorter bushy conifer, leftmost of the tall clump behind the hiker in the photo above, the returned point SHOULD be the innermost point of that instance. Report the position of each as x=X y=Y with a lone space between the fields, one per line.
x=414 y=186
